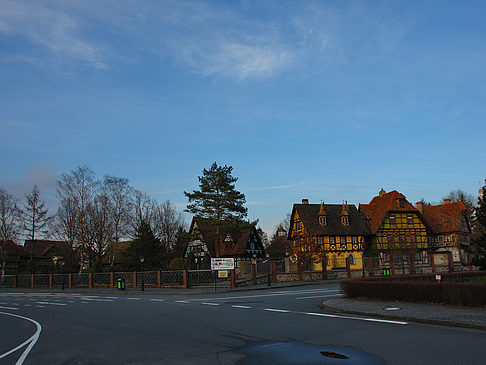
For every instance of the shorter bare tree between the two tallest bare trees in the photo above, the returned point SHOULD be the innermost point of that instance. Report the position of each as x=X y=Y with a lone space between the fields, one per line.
x=100 y=228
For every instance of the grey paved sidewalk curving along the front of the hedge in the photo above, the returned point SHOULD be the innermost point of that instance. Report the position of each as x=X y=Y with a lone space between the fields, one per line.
x=467 y=317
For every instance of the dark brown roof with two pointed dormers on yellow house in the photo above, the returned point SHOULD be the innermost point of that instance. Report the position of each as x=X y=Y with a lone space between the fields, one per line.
x=309 y=213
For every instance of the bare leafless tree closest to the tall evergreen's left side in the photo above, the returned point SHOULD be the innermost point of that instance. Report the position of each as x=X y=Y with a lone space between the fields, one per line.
x=167 y=222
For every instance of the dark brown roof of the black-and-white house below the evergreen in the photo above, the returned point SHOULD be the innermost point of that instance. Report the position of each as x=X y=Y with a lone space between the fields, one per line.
x=238 y=232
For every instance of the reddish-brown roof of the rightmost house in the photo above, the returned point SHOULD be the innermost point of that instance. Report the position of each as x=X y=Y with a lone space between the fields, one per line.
x=444 y=218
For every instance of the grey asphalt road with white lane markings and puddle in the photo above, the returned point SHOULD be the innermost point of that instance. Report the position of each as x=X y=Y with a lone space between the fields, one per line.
x=275 y=326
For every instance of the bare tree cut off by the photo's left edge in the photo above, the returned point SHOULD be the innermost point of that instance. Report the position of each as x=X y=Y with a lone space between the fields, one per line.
x=10 y=218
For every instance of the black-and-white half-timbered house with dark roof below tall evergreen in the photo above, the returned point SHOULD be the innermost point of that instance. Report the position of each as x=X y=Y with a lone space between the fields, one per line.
x=240 y=241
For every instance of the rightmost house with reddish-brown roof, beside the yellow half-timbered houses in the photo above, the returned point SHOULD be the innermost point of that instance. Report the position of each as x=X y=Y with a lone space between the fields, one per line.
x=449 y=230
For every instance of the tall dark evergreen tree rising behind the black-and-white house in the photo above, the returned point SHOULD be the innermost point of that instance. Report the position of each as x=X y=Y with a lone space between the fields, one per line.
x=217 y=198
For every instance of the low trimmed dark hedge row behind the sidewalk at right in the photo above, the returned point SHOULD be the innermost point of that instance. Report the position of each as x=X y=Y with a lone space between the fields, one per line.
x=424 y=292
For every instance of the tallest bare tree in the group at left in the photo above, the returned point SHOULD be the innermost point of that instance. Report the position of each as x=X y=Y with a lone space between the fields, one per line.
x=80 y=188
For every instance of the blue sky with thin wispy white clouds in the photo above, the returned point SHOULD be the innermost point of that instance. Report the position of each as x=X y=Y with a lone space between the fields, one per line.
x=324 y=100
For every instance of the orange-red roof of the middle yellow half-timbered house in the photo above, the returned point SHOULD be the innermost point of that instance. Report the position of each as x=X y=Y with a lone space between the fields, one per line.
x=379 y=206
